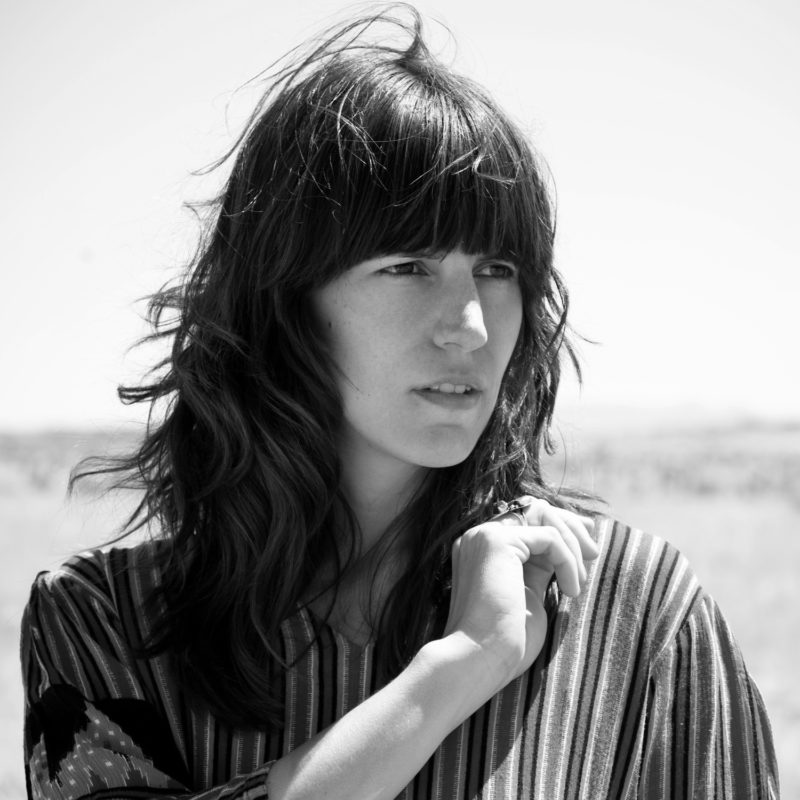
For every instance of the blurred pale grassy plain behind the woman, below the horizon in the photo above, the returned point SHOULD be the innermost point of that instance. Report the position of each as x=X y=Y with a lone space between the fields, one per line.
x=727 y=494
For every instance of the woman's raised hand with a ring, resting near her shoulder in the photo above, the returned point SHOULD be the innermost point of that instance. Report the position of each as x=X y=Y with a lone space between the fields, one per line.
x=501 y=570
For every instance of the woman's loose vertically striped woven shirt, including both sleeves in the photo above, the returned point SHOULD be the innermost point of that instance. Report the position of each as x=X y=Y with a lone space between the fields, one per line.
x=640 y=691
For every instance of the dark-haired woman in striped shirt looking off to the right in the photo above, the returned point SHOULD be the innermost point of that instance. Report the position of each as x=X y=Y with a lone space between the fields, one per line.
x=359 y=583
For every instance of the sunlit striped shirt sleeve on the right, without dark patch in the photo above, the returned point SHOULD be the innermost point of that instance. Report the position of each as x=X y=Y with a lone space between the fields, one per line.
x=707 y=734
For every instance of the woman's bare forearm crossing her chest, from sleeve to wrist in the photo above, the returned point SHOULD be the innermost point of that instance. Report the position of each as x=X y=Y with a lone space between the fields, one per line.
x=377 y=748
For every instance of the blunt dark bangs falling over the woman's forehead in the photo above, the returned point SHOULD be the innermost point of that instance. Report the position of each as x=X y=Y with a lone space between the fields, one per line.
x=434 y=168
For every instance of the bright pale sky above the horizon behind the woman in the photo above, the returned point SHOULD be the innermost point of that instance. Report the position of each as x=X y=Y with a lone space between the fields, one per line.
x=670 y=130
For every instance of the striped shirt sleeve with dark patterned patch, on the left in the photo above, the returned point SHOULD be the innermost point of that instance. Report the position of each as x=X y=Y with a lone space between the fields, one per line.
x=89 y=730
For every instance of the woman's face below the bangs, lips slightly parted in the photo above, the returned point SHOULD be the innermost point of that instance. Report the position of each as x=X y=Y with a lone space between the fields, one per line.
x=401 y=328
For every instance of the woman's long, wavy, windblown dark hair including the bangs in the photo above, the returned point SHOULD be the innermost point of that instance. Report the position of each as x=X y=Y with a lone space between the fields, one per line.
x=356 y=149
